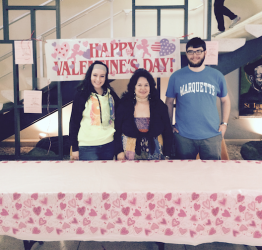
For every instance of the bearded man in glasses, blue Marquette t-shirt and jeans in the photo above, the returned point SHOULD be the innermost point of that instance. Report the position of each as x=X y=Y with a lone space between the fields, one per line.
x=196 y=88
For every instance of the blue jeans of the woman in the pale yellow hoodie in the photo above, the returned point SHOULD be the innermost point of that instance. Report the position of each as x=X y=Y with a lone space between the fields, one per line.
x=101 y=152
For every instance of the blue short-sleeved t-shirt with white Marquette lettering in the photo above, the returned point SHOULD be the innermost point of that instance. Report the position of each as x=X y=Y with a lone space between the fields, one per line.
x=196 y=93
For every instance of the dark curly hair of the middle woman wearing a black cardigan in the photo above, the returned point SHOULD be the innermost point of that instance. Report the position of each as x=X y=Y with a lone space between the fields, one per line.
x=130 y=93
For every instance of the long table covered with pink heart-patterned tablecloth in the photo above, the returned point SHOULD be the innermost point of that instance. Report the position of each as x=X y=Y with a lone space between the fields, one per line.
x=184 y=202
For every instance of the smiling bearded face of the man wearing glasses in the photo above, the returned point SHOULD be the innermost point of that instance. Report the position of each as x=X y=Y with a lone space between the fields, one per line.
x=195 y=56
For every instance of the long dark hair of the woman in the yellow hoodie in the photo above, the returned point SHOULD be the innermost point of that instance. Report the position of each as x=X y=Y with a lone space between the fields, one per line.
x=86 y=87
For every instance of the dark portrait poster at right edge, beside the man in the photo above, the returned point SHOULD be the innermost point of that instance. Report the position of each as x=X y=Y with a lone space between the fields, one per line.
x=250 y=96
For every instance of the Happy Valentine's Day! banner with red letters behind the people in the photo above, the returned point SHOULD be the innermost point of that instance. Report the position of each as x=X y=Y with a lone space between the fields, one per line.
x=69 y=59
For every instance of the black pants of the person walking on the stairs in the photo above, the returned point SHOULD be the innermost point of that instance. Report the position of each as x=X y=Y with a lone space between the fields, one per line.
x=221 y=11
